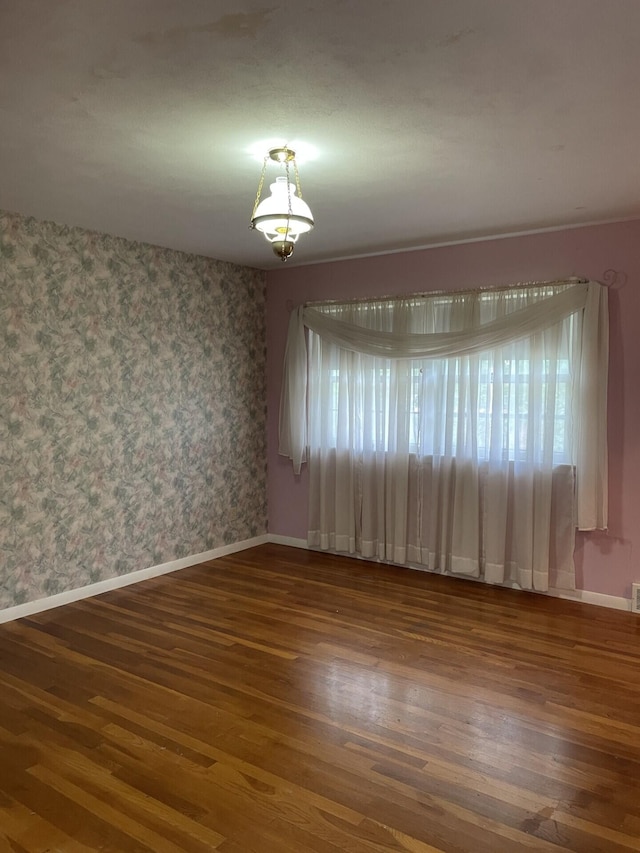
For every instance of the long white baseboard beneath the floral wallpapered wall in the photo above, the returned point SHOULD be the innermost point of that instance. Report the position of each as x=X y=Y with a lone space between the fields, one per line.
x=41 y=604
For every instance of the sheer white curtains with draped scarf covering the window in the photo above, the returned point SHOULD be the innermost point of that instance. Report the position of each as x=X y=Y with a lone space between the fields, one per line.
x=464 y=432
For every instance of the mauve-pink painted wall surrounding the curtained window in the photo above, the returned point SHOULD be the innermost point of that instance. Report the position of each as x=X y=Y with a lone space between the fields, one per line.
x=605 y=562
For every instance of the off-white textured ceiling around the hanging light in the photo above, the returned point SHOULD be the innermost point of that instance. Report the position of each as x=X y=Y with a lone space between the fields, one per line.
x=424 y=121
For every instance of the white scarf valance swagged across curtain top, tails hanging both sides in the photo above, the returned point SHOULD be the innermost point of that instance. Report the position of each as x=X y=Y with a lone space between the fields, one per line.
x=588 y=299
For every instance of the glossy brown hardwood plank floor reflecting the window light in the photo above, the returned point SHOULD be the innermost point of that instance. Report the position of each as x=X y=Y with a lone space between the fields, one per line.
x=283 y=700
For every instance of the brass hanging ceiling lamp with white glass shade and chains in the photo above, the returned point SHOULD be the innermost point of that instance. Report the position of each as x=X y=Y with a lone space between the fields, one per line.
x=283 y=216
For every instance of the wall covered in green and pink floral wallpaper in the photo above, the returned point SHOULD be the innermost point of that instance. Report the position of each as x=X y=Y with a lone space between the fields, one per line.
x=132 y=406
